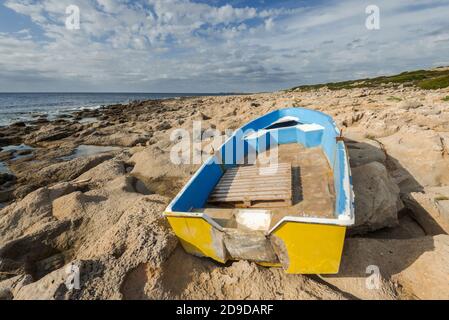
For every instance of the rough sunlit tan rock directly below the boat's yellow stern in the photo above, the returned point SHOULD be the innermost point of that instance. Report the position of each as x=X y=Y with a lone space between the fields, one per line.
x=198 y=278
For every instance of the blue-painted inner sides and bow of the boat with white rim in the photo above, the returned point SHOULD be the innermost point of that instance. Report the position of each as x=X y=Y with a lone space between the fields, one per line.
x=308 y=128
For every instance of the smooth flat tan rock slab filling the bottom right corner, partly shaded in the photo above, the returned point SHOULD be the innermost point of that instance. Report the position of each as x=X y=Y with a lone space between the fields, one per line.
x=409 y=269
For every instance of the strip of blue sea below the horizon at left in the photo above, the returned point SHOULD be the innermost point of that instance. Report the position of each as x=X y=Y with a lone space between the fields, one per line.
x=16 y=107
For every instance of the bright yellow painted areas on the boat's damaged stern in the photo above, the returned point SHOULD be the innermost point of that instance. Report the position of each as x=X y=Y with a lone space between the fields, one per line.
x=306 y=248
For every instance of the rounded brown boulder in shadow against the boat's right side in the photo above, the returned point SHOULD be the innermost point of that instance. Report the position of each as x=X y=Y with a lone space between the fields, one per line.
x=380 y=186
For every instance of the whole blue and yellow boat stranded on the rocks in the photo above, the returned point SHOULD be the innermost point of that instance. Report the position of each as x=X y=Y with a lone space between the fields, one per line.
x=291 y=211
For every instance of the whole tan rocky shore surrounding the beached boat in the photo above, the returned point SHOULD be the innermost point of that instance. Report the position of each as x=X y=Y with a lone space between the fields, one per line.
x=66 y=202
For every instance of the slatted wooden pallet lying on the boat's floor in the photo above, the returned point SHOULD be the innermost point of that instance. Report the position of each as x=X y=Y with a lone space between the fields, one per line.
x=255 y=186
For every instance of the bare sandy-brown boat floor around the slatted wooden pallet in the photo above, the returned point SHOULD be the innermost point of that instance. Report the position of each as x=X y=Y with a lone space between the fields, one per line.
x=312 y=188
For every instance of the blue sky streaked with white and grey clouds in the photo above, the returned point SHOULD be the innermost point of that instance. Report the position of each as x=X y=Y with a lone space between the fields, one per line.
x=213 y=46
